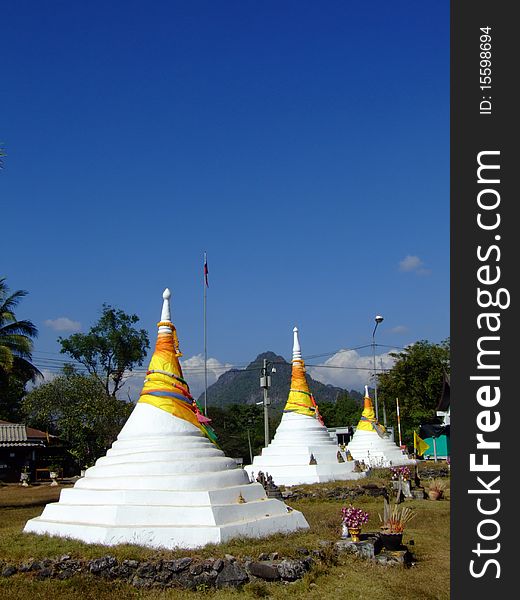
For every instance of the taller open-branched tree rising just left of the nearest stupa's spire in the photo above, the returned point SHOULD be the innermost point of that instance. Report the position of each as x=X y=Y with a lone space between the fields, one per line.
x=111 y=349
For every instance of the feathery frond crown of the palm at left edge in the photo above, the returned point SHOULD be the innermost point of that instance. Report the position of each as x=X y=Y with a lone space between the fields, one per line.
x=15 y=338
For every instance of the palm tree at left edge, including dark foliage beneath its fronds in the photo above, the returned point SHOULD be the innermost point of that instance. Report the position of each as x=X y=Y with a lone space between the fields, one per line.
x=16 y=344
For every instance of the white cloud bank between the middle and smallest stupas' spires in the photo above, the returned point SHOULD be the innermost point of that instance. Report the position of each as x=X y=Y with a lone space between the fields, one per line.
x=350 y=370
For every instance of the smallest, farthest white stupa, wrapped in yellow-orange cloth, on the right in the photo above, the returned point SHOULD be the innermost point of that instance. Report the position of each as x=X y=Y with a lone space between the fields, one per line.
x=372 y=444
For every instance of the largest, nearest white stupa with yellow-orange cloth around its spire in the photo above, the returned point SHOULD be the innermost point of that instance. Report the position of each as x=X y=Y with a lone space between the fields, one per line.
x=165 y=483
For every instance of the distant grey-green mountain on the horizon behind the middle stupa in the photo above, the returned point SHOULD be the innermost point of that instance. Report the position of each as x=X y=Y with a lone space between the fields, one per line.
x=243 y=386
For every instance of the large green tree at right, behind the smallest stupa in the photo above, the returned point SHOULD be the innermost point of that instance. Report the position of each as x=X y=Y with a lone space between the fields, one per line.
x=416 y=379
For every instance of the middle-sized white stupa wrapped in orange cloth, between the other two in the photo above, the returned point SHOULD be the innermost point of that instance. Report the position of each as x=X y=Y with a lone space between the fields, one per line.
x=302 y=450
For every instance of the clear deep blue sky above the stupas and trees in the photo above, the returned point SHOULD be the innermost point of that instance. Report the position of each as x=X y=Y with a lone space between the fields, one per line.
x=303 y=145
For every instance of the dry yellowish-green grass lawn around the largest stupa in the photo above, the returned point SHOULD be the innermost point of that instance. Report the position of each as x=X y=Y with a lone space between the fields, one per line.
x=347 y=578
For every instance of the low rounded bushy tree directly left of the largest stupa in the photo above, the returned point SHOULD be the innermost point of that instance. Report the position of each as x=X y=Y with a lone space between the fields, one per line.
x=77 y=409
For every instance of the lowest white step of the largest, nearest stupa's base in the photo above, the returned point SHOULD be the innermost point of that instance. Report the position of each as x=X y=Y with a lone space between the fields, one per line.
x=170 y=537
